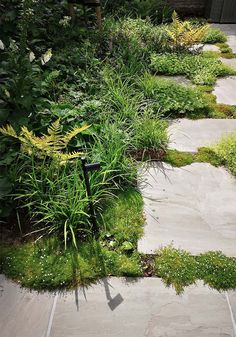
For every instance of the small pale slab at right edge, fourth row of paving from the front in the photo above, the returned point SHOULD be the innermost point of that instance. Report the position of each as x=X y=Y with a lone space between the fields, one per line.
x=225 y=89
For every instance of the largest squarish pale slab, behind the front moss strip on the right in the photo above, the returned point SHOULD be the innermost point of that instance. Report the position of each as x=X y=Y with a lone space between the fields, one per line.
x=193 y=207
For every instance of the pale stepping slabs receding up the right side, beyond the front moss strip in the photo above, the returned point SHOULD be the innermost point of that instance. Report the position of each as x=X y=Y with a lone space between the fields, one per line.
x=193 y=207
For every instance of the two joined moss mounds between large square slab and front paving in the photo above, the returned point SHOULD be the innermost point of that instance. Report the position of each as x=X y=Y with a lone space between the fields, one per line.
x=179 y=269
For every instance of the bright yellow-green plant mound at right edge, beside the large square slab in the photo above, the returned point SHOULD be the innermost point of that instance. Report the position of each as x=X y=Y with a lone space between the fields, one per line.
x=226 y=151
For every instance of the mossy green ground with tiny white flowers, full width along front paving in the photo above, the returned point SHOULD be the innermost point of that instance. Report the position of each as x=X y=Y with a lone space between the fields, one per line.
x=46 y=265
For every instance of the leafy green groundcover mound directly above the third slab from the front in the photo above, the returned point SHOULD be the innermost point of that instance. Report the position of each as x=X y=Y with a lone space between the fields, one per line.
x=169 y=97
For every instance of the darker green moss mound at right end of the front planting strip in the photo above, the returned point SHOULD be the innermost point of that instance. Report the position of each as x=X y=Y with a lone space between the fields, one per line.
x=217 y=270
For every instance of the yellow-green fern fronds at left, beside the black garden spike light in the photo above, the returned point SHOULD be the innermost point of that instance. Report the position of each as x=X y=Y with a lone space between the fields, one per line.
x=50 y=145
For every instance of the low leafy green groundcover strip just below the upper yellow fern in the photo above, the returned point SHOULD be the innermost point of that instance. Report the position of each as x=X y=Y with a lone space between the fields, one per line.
x=200 y=69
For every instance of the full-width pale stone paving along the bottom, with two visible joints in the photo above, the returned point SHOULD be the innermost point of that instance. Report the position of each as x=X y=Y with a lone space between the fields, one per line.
x=117 y=307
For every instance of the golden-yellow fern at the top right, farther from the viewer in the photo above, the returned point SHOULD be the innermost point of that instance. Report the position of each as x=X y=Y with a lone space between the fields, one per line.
x=183 y=34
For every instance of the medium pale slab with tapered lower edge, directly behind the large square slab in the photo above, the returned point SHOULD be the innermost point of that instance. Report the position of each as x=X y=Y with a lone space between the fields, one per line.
x=188 y=135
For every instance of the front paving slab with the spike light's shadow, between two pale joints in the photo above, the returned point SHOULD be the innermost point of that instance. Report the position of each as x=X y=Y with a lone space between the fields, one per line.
x=147 y=309
